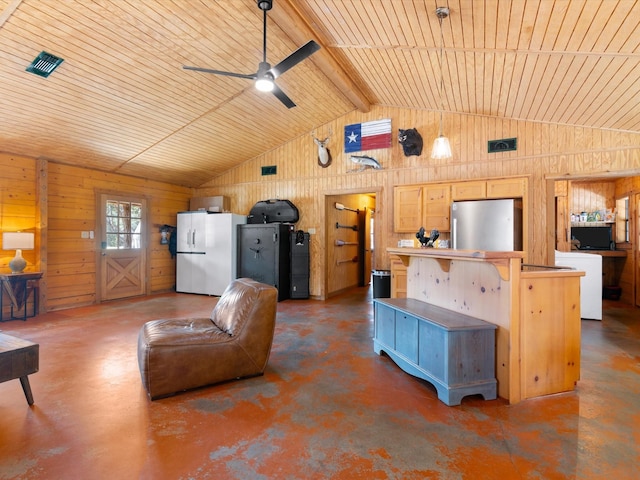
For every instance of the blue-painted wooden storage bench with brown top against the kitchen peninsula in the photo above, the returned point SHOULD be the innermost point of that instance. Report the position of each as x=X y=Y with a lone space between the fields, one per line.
x=452 y=351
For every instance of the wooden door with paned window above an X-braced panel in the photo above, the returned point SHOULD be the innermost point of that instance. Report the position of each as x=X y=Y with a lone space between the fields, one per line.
x=122 y=237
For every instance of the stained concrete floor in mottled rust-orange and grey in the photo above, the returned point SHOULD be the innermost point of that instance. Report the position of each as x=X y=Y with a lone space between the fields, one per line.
x=327 y=407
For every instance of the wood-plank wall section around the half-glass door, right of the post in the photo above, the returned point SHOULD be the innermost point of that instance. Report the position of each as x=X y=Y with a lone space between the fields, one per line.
x=72 y=209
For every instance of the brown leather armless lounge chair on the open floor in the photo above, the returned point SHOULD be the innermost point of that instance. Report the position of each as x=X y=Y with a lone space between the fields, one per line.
x=234 y=342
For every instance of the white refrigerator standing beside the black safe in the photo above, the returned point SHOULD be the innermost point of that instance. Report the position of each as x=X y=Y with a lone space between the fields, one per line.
x=206 y=251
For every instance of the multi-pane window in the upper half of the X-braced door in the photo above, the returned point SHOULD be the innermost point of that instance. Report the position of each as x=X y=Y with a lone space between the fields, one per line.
x=124 y=224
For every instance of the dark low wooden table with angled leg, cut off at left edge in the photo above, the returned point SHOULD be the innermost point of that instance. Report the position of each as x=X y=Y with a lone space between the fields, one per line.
x=18 y=359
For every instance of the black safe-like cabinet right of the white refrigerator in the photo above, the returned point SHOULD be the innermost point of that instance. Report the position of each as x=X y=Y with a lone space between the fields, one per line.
x=264 y=255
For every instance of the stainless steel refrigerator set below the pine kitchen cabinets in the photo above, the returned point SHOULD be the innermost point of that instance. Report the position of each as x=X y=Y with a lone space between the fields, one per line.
x=492 y=225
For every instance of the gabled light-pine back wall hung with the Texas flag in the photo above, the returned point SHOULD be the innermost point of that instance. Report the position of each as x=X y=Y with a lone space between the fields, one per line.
x=544 y=151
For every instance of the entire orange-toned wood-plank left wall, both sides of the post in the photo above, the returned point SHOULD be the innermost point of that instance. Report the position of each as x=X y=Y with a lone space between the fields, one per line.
x=70 y=267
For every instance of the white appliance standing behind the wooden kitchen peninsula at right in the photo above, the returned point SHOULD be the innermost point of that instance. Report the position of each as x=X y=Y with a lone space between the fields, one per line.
x=590 y=283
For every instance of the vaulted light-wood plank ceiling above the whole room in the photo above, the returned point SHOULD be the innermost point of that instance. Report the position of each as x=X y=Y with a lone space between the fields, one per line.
x=121 y=102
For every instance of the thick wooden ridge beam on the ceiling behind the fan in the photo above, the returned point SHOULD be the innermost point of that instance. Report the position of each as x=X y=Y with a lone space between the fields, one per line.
x=288 y=17
